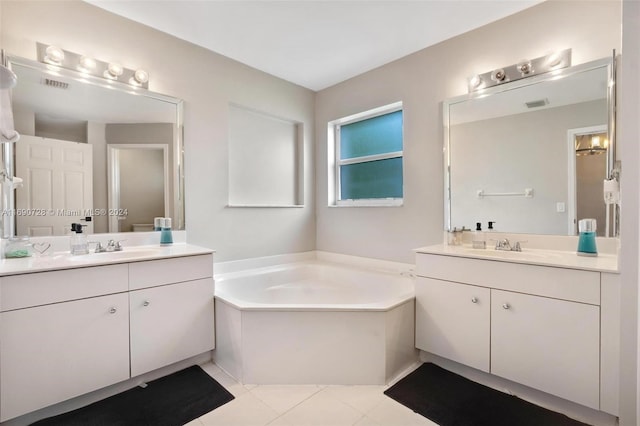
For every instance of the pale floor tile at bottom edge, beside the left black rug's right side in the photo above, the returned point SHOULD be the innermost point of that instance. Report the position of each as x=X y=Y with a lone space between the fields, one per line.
x=245 y=410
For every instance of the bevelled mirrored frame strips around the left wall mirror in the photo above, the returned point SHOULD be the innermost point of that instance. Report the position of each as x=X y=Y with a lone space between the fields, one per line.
x=177 y=178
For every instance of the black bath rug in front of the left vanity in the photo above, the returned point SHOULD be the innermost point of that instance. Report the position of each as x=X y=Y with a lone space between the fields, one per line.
x=172 y=400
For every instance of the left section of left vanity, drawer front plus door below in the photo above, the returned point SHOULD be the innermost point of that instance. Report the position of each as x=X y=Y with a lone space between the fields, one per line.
x=51 y=350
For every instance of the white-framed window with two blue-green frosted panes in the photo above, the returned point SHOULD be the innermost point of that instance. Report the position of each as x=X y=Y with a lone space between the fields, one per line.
x=368 y=158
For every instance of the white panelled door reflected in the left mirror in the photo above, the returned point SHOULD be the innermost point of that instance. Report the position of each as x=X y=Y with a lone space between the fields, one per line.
x=57 y=188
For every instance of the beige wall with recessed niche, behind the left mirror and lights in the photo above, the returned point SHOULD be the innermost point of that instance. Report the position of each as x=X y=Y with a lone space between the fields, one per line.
x=208 y=83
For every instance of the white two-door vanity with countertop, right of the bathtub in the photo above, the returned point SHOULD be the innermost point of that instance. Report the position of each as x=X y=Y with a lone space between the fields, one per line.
x=548 y=320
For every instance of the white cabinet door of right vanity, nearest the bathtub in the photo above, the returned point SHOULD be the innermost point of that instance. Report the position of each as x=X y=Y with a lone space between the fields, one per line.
x=452 y=321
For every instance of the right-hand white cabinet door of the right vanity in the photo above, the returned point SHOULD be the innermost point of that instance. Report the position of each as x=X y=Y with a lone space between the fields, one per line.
x=548 y=344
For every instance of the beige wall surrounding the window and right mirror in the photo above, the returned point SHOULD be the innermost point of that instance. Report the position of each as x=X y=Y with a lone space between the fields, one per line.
x=422 y=81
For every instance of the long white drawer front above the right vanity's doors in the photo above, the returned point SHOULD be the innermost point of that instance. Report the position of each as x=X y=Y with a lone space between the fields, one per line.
x=560 y=283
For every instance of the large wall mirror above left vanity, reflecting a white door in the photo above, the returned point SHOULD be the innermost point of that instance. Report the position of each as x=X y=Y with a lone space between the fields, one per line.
x=107 y=155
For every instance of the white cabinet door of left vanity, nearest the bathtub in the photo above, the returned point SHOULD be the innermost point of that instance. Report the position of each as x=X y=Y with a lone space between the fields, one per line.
x=170 y=323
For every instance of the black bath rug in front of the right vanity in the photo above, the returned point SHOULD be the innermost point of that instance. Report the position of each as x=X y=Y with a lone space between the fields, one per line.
x=452 y=400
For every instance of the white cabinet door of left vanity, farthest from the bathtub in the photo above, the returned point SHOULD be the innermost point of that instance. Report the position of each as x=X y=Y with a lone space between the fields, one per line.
x=55 y=352
